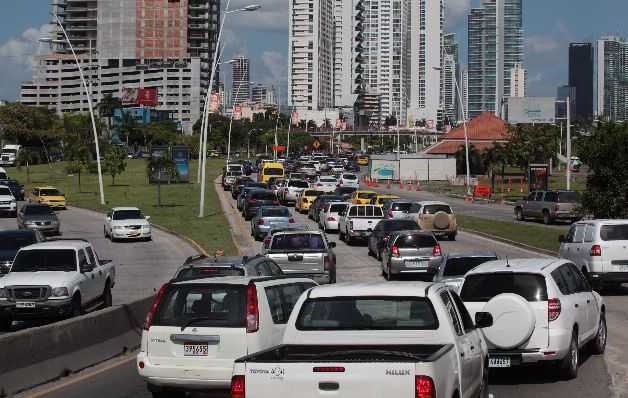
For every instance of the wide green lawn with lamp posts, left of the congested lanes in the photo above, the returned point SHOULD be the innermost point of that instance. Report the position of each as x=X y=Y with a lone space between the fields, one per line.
x=179 y=210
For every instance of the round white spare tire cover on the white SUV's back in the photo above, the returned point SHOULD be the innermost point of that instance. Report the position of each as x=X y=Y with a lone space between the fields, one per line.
x=513 y=320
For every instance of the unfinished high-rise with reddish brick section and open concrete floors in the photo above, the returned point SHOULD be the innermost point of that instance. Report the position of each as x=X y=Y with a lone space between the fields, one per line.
x=168 y=46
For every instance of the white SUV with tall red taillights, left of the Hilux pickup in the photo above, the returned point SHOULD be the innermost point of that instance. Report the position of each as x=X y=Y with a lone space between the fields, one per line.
x=196 y=329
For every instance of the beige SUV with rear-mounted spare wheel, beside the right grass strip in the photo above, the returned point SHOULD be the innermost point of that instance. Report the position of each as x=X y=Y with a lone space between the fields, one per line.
x=436 y=217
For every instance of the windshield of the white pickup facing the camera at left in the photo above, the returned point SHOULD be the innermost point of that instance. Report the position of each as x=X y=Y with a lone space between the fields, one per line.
x=45 y=260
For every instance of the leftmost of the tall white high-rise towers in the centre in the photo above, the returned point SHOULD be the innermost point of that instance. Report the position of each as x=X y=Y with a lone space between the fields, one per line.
x=310 y=54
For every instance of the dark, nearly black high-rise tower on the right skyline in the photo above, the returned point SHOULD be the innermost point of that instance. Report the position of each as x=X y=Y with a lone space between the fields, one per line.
x=581 y=77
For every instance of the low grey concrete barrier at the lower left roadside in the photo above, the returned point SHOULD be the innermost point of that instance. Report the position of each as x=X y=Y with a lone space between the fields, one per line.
x=35 y=356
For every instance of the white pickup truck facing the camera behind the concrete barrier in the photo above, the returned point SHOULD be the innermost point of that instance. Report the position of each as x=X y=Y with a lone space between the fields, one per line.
x=54 y=279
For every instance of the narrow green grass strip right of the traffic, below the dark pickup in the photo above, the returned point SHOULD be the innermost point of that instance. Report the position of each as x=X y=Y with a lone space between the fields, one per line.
x=531 y=235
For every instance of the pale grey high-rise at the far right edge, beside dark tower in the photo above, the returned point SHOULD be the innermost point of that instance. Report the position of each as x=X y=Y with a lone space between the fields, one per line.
x=612 y=77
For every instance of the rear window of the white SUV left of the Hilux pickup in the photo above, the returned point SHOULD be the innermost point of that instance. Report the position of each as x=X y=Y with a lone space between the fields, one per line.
x=202 y=305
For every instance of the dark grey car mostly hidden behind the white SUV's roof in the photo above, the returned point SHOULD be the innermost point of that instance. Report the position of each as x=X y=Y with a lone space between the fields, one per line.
x=213 y=267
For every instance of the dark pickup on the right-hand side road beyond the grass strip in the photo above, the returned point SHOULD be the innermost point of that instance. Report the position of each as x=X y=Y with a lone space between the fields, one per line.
x=549 y=206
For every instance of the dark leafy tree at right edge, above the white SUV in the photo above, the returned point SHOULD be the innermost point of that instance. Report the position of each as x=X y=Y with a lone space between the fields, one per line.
x=604 y=152
